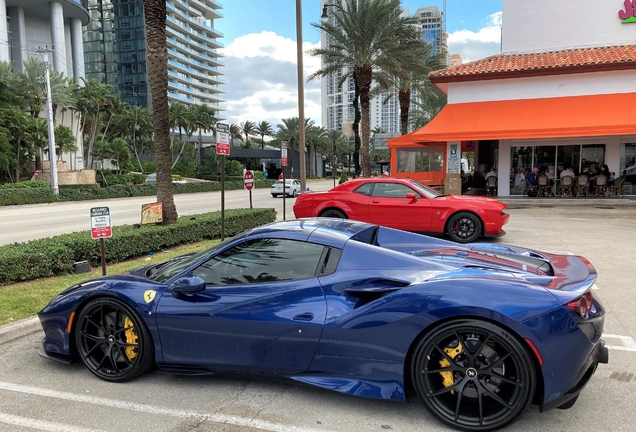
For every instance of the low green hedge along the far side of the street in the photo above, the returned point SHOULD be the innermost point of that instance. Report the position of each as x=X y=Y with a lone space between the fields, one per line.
x=37 y=195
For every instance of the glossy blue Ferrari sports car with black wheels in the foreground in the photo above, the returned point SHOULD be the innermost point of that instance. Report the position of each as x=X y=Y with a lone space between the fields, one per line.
x=476 y=332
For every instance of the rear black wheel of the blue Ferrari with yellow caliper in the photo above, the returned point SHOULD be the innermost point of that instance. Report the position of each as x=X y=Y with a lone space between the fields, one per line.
x=473 y=375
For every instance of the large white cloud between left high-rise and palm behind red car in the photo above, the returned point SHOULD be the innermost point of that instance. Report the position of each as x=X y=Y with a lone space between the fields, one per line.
x=261 y=79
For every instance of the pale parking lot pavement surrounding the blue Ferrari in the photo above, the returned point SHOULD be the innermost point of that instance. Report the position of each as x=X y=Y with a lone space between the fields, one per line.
x=37 y=394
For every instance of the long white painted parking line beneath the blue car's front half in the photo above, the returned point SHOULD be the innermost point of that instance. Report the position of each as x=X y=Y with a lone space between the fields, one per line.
x=153 y=409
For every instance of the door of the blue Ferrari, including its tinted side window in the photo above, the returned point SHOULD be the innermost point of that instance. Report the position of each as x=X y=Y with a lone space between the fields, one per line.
x=262 y=308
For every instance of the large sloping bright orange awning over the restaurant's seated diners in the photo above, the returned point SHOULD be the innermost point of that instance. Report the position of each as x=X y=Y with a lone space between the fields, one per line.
x=575 y=116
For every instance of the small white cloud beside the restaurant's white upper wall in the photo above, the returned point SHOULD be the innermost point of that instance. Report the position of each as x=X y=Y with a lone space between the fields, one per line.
x=476 y=45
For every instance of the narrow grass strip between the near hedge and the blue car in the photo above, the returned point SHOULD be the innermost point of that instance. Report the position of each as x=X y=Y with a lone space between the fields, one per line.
x=23 y=300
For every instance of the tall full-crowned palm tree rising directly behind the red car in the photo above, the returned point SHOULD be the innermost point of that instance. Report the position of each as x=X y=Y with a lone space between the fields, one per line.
x=370 y=36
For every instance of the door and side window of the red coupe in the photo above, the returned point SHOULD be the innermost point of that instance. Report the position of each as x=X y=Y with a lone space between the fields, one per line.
x=390 y=207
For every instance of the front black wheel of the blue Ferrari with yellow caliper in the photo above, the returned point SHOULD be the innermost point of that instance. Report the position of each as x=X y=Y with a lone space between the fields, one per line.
x=112 y=340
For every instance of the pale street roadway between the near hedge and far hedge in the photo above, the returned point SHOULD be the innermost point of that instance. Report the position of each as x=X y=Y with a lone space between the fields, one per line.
x=28 y=222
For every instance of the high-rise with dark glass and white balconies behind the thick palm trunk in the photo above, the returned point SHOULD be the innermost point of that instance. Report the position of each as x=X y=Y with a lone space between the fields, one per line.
x=115 y=47
